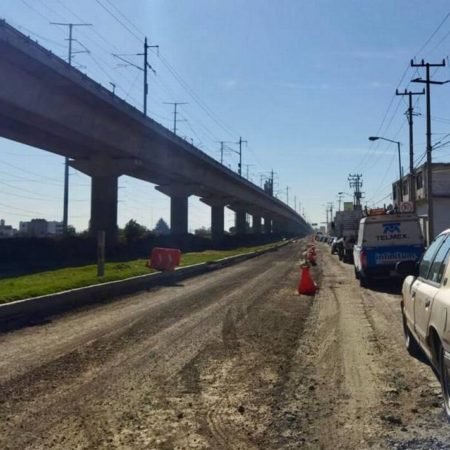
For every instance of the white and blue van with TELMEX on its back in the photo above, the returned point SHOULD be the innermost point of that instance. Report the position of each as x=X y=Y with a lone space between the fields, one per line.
x=384 y=240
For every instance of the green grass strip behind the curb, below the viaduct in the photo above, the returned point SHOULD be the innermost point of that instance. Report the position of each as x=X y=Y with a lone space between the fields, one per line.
x=75 y=277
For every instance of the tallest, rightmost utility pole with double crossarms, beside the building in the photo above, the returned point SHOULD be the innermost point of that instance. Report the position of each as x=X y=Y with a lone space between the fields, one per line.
x=428 y=82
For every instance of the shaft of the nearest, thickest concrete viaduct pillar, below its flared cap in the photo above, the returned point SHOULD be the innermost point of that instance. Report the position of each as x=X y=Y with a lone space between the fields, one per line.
x=104 y=205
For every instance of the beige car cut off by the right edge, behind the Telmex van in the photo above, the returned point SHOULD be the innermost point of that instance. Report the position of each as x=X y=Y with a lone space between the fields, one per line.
x=426 y=308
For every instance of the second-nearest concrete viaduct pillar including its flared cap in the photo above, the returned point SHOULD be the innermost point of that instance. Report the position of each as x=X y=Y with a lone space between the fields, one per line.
x=179 y=195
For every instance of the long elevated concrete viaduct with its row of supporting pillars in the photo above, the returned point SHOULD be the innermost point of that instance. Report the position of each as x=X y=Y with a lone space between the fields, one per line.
x=46 y=103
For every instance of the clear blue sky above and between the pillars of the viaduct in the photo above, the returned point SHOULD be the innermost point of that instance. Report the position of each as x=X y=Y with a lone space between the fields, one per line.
x=305 y=82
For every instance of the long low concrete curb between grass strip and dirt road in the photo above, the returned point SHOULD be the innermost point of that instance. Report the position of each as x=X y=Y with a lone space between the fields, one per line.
x=36 y=308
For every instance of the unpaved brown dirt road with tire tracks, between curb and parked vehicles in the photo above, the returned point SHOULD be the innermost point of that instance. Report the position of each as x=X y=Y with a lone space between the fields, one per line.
x=230 y=360
